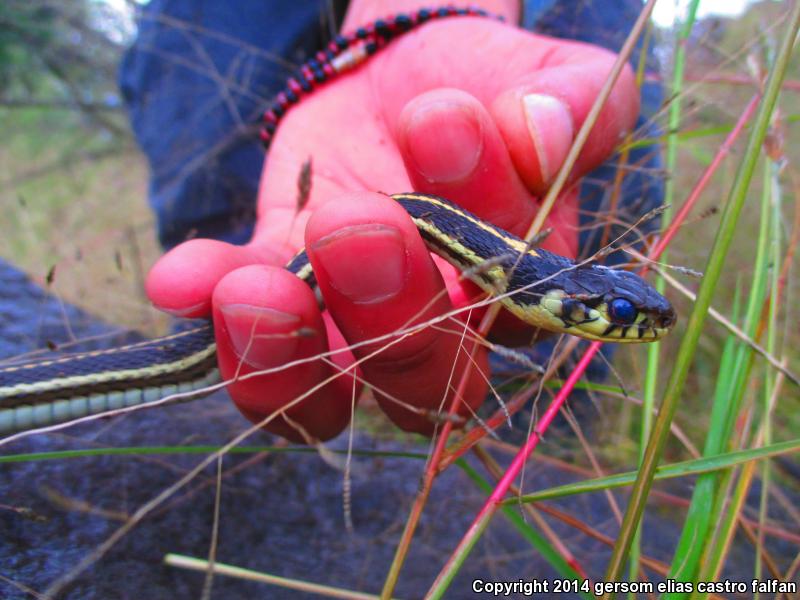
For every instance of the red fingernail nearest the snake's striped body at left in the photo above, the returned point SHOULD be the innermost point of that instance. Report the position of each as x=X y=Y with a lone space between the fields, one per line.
x=262 y=337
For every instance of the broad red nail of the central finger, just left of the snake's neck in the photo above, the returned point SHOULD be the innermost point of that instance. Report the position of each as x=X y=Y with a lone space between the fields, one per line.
x=365 y=263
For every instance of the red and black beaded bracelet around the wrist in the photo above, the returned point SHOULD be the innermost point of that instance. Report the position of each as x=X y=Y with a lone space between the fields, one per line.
x=345 y=52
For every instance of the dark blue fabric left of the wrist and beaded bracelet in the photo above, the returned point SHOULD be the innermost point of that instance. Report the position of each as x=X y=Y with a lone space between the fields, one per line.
x=195 y=80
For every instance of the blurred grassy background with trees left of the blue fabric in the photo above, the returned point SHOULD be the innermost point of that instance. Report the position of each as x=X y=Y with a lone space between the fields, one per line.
x=72 y=184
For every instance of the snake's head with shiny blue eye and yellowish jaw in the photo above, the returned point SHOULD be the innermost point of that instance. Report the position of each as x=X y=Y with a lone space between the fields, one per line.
x=605 y=304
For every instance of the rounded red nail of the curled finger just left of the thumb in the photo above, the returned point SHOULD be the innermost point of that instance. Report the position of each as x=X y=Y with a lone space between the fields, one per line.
x=445 y=141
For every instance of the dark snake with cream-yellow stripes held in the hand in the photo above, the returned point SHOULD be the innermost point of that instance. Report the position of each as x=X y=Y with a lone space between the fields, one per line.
x=543 y=289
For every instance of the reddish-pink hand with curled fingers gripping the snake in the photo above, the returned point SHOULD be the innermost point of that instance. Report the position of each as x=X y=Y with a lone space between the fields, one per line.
x=440 y=111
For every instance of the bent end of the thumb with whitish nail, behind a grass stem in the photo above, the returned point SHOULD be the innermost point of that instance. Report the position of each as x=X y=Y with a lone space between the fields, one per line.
x=540 y=115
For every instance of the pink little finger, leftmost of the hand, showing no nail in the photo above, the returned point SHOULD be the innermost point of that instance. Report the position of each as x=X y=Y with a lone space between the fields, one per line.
x=182 y=281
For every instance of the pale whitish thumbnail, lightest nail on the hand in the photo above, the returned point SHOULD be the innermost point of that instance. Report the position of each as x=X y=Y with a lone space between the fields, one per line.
x=551 y=129
